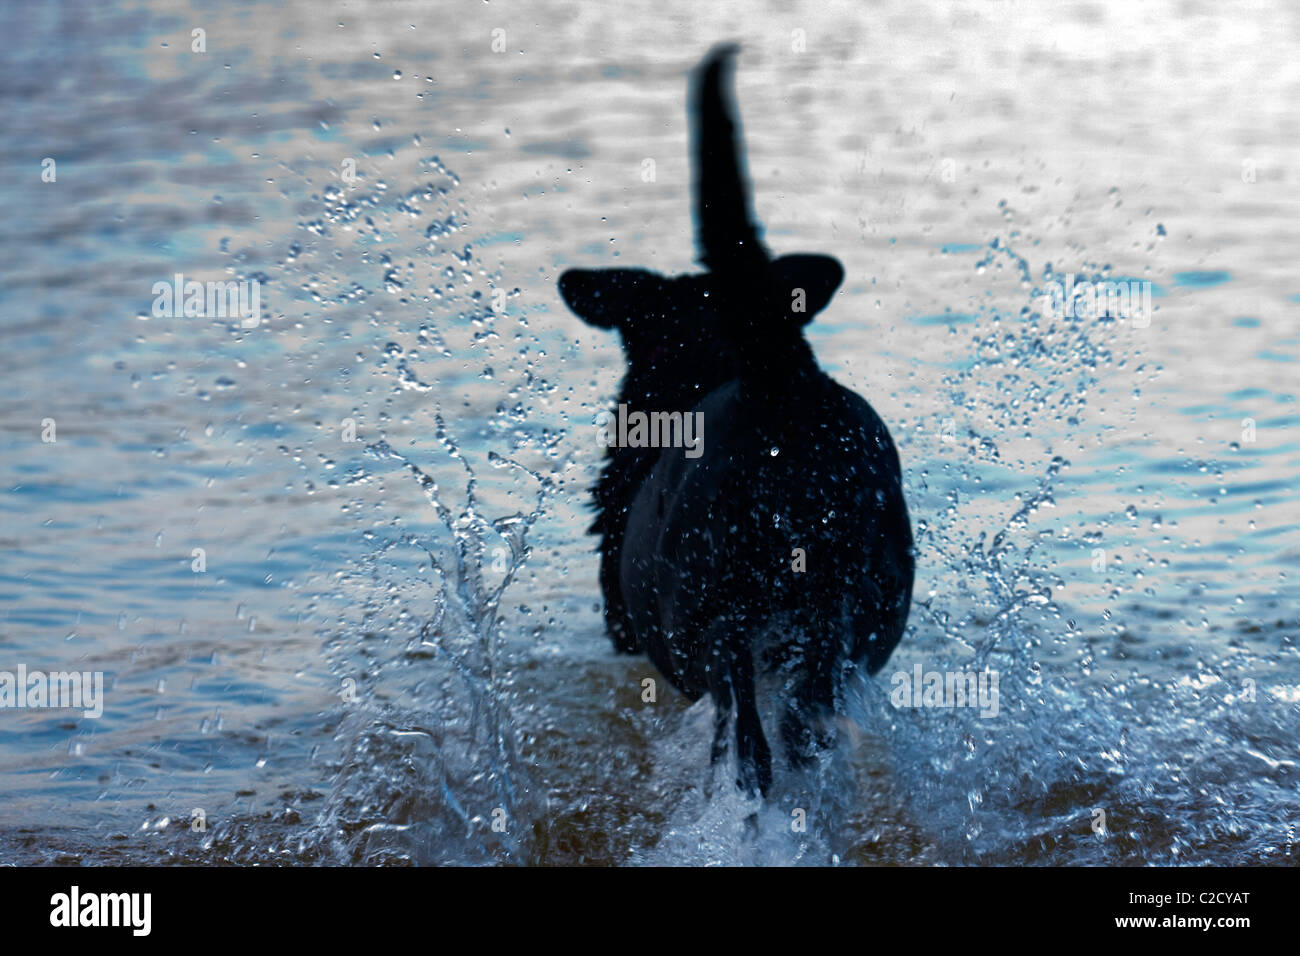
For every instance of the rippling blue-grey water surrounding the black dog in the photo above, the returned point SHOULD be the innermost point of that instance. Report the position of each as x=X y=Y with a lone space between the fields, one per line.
x=395 y=650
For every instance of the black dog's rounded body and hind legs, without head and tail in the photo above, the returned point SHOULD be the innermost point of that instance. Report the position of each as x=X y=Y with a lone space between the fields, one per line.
x=794 y=518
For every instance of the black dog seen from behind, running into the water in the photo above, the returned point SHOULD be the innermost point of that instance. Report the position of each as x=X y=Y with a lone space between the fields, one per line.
x=782 y=551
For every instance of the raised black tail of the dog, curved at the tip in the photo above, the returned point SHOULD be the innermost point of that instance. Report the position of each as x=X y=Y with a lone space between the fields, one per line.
x=727 y=236
